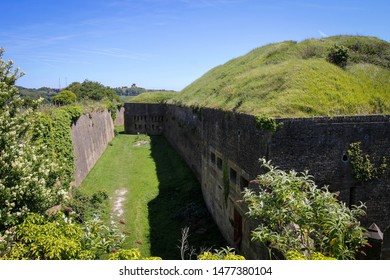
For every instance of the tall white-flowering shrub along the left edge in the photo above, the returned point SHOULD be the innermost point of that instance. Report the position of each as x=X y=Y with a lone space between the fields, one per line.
x=29 y=178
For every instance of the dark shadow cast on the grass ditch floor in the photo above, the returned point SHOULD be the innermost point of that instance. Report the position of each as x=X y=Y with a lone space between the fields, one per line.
x=179 y=204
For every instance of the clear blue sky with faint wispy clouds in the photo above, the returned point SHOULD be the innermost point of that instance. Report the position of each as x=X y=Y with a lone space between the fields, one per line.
x=164 y=44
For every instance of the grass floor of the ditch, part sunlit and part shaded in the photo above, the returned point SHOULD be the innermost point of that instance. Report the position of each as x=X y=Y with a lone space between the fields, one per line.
x=163 y=195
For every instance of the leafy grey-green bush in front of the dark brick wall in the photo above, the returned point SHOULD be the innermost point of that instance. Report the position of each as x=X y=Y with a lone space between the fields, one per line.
x=294 y=215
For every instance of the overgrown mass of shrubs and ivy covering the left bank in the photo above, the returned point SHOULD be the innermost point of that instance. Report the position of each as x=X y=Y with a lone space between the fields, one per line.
x=36 y=170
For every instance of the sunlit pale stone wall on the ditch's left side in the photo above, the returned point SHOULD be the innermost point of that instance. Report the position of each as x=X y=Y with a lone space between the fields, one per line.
x=91 y=135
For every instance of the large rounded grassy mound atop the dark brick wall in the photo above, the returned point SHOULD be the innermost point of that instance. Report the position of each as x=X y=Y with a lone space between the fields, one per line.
x=295 y=79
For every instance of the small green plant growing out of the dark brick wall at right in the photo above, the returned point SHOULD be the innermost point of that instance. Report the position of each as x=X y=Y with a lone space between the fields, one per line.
x=362 y=167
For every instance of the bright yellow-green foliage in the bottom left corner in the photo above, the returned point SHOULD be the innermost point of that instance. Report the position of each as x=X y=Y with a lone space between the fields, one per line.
x=58 y=238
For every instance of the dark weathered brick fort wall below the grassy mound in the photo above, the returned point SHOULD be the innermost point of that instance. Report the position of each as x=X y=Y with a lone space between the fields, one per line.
x=220 y=145
